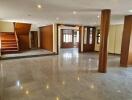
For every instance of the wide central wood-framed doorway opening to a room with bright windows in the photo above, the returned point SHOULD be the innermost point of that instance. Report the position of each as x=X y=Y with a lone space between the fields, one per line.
x=68 y=37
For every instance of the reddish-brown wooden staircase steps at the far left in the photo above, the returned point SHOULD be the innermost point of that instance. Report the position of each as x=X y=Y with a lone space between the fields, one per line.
x=9 y=43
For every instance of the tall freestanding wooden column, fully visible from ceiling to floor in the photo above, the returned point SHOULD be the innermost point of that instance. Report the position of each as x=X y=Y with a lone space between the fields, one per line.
x=105 y=23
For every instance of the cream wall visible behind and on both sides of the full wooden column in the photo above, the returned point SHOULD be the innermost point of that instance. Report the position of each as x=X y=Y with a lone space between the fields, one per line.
x=114 y=39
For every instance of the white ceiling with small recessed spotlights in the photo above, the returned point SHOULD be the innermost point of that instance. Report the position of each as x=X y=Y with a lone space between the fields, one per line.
x=87 y=11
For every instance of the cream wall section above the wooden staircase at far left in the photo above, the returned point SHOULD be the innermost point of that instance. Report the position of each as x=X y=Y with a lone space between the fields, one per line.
x=6 y=26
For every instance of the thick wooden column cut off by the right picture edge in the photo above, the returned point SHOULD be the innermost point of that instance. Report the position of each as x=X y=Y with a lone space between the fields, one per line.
x=126 y=48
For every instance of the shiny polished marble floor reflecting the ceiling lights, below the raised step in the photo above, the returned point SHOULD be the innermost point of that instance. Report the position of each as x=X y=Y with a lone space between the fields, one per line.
x=68 y=76
